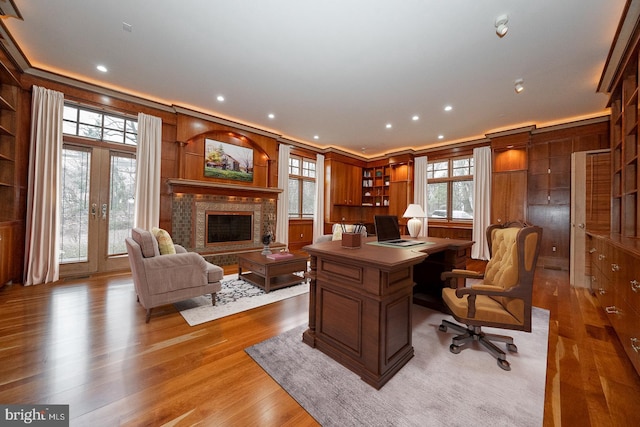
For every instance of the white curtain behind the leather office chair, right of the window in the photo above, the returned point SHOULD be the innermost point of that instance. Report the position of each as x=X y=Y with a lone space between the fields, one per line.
x=481 y=201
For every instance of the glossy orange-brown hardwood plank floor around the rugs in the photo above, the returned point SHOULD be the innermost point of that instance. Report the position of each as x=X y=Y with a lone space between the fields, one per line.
x=85 y=343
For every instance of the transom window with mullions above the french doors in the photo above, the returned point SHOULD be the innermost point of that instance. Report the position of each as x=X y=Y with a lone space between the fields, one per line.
x=87 y=123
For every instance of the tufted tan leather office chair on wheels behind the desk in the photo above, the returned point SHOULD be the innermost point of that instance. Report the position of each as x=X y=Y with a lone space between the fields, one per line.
x=503 y=298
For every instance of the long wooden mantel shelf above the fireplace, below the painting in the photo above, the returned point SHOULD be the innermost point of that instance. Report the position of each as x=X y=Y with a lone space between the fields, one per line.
x=191 y=186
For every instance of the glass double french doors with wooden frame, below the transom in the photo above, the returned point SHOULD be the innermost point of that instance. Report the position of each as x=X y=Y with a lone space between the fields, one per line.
x=98 y=188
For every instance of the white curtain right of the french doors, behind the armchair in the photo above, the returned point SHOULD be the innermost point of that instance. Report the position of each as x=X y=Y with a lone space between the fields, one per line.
x=147 y=198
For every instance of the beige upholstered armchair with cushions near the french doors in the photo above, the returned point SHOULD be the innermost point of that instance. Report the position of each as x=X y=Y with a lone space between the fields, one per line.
x=165 y=279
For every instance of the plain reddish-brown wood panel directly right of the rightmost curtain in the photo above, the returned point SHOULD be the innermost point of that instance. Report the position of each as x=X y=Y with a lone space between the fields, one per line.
x=509 y=197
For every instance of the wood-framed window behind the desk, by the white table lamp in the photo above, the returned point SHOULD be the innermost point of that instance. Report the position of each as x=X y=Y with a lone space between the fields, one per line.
x=450 y=189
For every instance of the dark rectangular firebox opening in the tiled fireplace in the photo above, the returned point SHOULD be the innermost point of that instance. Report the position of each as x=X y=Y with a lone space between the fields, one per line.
x=228 y=227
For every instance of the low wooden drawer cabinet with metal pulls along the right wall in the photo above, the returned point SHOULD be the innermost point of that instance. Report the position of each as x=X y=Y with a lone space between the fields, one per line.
x=616 y=283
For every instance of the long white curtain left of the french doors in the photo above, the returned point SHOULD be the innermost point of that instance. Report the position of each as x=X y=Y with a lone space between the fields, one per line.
x=43 y=193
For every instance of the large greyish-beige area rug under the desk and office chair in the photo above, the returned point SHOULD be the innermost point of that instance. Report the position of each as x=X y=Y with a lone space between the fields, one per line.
x=435 y=388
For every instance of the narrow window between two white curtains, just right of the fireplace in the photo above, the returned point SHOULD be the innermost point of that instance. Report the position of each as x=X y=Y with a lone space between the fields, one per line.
x=302 y=187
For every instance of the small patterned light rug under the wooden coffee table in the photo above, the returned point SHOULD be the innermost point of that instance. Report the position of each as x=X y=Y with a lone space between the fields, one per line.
x=235 y=296
